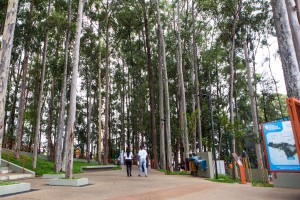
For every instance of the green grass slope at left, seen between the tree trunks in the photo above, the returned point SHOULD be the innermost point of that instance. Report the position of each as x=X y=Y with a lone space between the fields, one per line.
x=44 y=166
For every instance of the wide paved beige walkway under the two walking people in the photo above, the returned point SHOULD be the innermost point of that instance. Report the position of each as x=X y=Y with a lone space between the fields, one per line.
x=116 y=185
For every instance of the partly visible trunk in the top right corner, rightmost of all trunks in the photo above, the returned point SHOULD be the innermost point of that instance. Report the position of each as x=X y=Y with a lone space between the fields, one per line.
x=295 y=26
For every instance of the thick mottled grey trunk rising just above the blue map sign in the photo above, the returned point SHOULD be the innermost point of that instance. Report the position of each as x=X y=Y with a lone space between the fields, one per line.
x=286 y=48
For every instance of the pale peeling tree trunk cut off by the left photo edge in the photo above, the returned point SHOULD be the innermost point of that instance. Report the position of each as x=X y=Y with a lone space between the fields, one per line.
x=5 y=56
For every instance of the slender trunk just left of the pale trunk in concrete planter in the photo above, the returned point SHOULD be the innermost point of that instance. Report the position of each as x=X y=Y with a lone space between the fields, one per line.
x=59 y=163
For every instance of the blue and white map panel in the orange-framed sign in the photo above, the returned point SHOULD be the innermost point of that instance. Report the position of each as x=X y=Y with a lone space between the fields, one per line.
x=280 y=146
